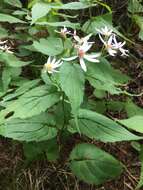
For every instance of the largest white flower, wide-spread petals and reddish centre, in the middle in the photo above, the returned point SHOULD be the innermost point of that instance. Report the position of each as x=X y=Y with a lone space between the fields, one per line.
x=81 y=54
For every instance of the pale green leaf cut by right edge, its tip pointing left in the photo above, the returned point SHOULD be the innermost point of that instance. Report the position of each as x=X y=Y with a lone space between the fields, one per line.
x=135 y=123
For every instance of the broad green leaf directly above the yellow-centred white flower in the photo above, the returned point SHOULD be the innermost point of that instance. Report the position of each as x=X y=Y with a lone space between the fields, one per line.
x=50 y=46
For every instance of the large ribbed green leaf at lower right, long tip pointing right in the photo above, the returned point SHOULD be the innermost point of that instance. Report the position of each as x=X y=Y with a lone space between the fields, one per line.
x=99 y=127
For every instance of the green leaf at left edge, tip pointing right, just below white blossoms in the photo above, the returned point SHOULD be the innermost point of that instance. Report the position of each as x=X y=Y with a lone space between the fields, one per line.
x=12 y=60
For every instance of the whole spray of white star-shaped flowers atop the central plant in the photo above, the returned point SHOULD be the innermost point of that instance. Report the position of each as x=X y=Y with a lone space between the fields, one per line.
x=83 y=45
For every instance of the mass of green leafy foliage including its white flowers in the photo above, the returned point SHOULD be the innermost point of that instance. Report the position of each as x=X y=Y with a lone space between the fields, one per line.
x=42 y=100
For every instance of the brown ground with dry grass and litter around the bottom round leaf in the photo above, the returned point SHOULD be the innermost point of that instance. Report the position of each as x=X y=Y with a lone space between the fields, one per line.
x=42 y=175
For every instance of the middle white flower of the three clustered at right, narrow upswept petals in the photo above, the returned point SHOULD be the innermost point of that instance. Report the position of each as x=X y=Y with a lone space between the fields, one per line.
x=110 y=47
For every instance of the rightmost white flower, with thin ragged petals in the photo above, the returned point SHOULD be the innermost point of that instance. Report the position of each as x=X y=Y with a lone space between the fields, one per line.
x=119 y=46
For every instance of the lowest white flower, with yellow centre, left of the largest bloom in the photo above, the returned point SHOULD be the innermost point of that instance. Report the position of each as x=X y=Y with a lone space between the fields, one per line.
x=52 y=65
